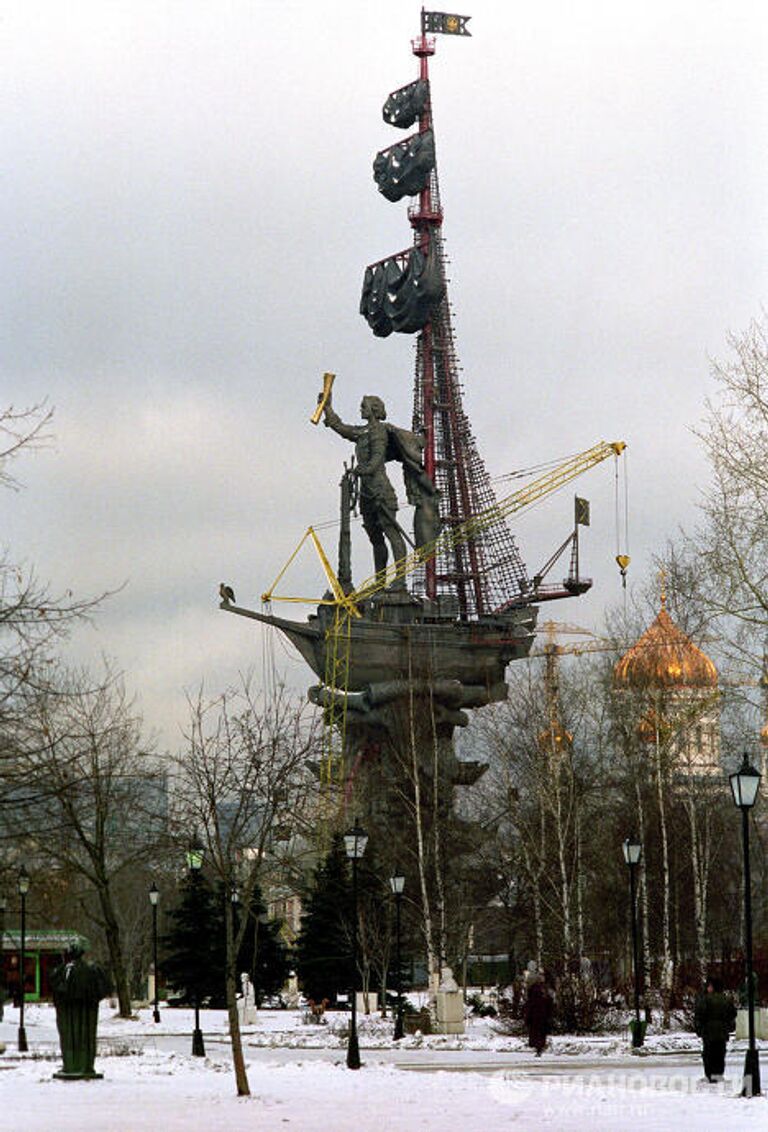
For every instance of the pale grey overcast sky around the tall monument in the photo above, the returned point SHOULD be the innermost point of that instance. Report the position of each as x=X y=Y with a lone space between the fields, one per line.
x=187 y=210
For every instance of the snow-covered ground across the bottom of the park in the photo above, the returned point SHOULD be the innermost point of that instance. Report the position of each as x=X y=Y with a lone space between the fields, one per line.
x=300 y=1080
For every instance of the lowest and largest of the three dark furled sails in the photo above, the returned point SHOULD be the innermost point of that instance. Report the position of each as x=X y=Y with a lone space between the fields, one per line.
x=399 y=294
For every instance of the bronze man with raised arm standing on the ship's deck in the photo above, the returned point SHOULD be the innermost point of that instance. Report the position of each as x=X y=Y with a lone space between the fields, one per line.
x=379 y=502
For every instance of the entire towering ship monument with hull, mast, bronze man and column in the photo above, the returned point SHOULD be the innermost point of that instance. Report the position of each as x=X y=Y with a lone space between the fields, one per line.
x=402 y=657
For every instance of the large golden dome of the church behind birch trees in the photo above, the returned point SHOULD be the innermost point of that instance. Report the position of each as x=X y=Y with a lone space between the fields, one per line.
x=664 y=657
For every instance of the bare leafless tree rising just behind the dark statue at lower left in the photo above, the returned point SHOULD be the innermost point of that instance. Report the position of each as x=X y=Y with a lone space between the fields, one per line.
x=86 y=794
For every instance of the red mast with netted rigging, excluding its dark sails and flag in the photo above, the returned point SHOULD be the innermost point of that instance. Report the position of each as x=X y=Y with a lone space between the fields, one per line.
x=488 y=572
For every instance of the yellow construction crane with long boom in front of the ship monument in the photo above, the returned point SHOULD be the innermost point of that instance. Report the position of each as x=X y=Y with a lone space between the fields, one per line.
x=346 y=605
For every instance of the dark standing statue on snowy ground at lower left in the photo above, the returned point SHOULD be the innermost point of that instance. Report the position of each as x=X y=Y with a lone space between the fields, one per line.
x=78 y=989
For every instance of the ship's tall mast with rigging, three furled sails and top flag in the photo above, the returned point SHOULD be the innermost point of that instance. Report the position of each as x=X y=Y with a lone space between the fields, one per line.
x=407 y=293
